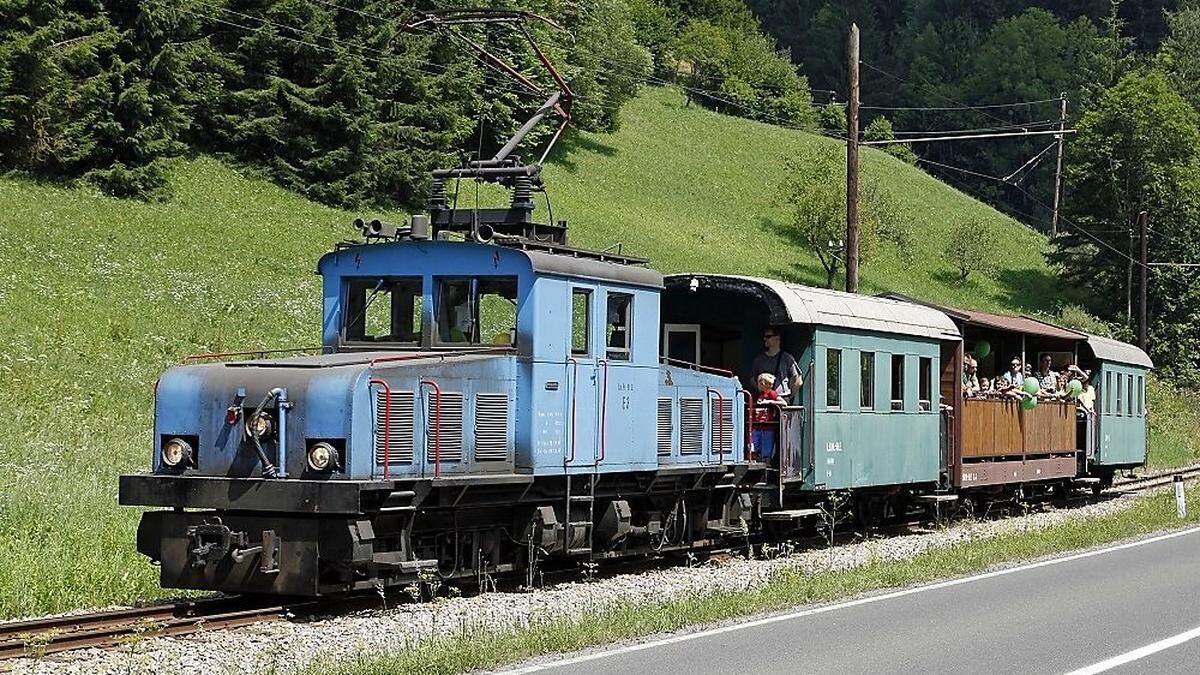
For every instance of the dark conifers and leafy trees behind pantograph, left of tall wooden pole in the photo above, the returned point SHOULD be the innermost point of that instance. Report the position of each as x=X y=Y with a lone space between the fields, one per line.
x=335 y=100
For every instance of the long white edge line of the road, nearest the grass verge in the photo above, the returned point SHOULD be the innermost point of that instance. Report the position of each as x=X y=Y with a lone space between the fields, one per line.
x=871 y=600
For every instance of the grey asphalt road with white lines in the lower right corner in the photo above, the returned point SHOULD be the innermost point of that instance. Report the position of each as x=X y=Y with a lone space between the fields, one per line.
x=1127 y=610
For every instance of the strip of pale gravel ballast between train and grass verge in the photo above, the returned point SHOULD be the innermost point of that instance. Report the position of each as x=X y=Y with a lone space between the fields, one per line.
x=287 y=647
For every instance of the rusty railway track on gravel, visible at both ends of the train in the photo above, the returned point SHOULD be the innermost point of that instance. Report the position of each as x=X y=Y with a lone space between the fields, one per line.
x=40 y=637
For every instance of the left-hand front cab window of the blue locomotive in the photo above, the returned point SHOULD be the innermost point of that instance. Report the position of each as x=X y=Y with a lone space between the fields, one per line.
x=383 y=310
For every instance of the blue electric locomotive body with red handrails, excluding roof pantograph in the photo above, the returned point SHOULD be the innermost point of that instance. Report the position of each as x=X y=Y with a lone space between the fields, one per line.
x=477 y=405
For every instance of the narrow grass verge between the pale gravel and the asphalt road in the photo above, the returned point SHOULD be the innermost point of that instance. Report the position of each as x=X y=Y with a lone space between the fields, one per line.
x=475 y=648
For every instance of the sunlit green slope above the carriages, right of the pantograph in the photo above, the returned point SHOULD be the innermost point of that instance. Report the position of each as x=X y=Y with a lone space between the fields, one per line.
x=695 y=190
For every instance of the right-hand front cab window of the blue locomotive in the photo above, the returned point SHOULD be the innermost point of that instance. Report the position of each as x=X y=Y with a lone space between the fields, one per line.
x=477 y=312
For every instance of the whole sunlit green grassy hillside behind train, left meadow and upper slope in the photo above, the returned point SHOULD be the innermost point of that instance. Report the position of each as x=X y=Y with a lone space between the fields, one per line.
x=99 y=296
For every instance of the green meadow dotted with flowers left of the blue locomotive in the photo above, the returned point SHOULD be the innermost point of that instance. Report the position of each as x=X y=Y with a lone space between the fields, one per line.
x=99 y=296
